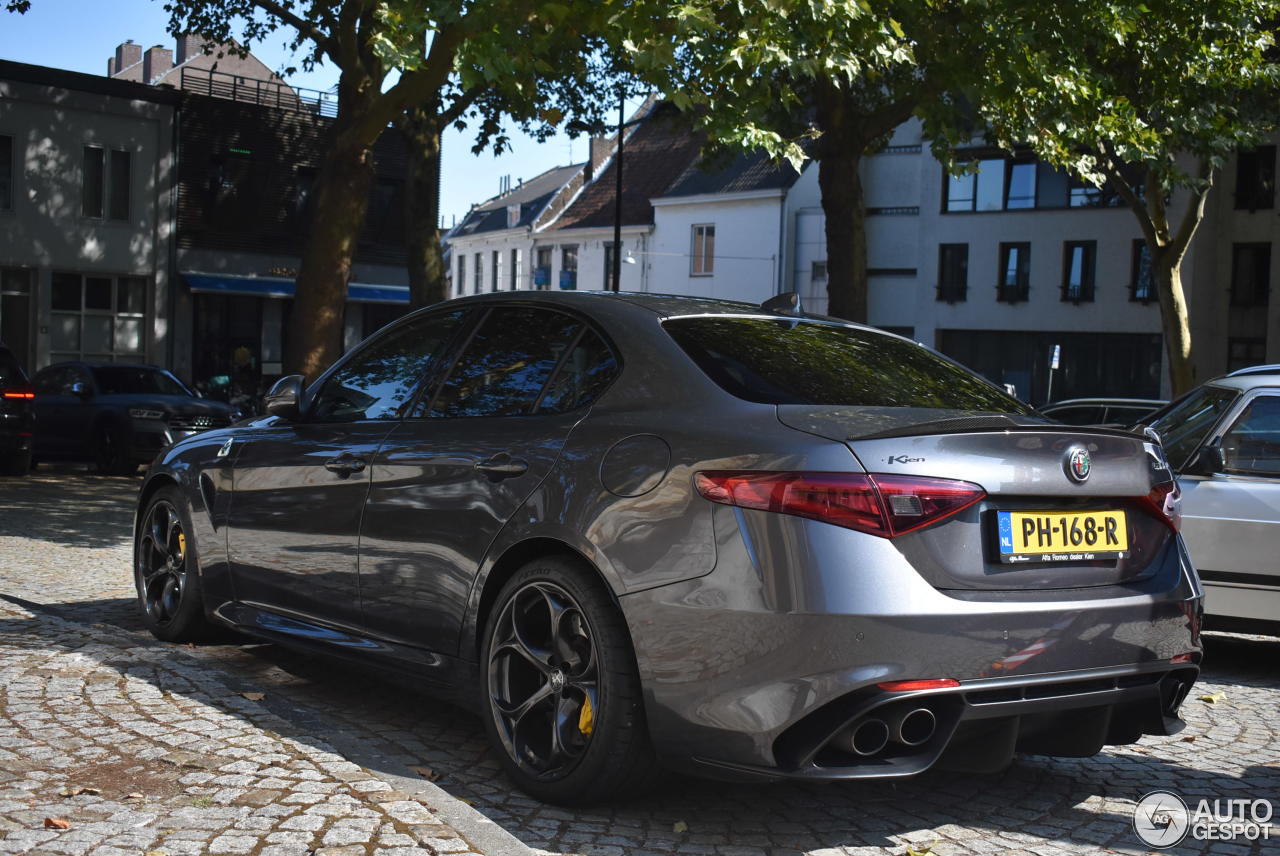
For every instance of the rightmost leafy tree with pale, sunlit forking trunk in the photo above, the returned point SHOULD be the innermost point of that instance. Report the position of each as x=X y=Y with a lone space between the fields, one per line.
x=1144 y=98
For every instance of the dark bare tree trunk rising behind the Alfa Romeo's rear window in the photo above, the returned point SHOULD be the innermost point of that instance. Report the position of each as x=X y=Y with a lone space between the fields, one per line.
x=842 y=185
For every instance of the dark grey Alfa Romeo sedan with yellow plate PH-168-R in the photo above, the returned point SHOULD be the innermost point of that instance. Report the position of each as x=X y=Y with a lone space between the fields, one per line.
x=636 y=530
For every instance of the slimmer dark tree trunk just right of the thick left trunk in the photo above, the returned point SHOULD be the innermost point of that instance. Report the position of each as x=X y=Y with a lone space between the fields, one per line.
x=422 y=127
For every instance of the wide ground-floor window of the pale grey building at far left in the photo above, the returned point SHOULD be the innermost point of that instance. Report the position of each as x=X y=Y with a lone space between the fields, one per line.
x=98 y=318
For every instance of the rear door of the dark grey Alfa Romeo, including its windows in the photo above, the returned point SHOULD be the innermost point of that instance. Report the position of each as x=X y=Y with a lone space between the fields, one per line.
x=447 y=480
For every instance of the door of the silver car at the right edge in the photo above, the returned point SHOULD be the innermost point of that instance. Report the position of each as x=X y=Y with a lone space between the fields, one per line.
x=1232 y=519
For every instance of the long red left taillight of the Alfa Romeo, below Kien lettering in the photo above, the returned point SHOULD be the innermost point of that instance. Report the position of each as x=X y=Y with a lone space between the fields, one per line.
x=880 y=505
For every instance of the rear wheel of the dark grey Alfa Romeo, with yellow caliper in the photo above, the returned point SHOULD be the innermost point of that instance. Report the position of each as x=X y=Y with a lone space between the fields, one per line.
x=561 y=692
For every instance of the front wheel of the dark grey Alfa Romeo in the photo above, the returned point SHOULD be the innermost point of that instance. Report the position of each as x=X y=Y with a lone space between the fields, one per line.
x=166 y=573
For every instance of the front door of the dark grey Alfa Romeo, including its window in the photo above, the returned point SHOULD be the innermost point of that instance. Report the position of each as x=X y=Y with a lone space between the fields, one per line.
x=300 y=487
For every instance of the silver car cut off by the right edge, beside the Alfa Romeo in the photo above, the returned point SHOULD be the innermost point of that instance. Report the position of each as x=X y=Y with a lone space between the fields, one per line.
x=1223 y=440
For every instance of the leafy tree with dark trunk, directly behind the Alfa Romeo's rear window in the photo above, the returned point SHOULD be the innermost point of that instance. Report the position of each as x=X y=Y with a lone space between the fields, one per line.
x=828 y=80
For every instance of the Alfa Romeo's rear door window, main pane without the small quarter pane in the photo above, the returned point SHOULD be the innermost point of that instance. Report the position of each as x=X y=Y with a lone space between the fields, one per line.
x=506 y=365
